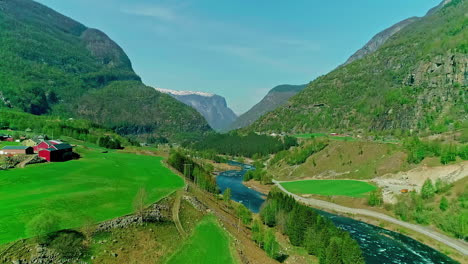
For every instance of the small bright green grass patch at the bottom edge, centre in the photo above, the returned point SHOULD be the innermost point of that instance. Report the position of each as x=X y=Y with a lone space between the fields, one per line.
x=208 y=245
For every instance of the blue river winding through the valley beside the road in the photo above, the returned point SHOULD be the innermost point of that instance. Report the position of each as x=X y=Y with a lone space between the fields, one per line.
x=380 y=246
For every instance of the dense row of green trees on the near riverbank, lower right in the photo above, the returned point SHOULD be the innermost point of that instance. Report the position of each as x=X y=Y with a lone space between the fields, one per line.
x=306 y=228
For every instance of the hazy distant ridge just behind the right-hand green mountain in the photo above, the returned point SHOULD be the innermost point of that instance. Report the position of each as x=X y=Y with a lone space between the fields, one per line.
x=275 y=98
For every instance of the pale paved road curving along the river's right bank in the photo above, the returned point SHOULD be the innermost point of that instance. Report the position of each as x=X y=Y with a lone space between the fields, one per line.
x=456 y=244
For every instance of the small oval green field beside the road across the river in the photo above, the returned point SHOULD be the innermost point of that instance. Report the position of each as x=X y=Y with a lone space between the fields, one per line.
x=349 y=188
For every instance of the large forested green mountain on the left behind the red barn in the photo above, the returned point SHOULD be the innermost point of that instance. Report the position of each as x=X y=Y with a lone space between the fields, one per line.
x=54 y=65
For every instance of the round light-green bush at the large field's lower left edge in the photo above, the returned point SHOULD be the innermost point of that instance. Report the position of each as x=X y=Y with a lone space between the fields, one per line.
x=42 y=225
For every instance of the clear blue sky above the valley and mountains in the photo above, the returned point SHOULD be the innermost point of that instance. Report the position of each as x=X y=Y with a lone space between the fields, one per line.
x=239 y=49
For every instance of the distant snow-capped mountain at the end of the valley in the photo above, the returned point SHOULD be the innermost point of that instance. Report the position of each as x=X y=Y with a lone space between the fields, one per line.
x=213 y=107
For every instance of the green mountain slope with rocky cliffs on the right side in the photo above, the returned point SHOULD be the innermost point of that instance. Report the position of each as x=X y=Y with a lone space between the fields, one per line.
x=415 y=81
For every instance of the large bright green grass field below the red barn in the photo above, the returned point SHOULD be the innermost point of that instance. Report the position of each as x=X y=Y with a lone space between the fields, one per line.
x=99 y=186
